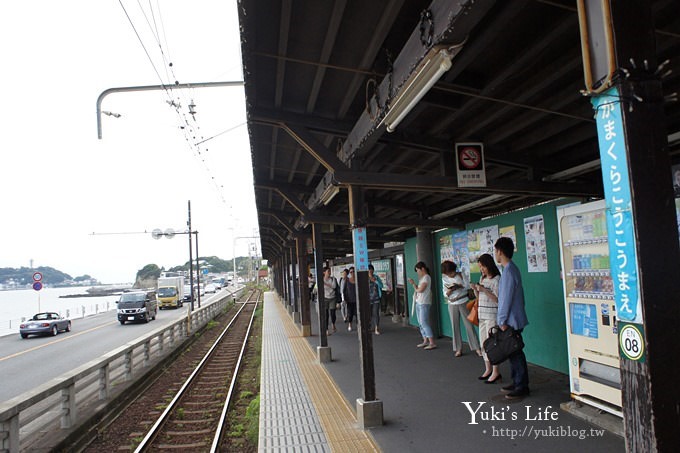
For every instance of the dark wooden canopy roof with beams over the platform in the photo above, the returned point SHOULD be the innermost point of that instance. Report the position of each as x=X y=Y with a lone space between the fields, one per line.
x=325 y=79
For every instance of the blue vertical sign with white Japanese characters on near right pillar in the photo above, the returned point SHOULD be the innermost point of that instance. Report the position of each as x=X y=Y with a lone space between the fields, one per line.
x=613 y=155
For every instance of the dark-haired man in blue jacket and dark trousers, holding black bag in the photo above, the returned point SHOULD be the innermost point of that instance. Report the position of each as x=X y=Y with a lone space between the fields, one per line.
x=511 y=314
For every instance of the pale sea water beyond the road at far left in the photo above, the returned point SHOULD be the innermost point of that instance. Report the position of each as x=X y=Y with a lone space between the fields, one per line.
x=18 y=305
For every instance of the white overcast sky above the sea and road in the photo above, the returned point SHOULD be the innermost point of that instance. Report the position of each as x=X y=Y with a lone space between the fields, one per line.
x=59 y=183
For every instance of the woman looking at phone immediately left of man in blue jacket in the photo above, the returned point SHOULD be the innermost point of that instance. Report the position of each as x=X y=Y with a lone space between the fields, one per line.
x=487 y=299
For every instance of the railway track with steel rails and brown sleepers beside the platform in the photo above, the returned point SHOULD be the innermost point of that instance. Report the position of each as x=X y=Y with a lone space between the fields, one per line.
x=195 y=418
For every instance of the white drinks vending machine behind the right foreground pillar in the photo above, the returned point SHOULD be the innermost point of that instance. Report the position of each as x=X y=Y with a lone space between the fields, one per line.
x=592 y=336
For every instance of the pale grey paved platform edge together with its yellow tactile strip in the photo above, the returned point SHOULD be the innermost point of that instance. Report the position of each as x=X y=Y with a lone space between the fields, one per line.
x=301 y=409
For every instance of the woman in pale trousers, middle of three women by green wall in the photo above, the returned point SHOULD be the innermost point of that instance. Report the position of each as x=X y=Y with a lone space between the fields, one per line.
x=456 y=294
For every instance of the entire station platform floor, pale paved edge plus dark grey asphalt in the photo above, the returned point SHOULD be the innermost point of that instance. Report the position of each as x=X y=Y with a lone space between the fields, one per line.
x=432 y=401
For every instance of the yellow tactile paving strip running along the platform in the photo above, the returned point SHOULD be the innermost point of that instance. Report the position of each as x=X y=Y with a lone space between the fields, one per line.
x=336 y=416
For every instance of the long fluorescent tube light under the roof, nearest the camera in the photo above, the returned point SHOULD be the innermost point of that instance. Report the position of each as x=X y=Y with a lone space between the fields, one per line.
x=429 y=71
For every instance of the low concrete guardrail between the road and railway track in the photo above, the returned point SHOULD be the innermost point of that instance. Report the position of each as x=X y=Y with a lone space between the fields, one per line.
x=70 y=399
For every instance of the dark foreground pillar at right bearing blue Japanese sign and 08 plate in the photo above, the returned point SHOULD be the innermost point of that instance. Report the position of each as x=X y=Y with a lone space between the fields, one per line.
x=622 y=76
